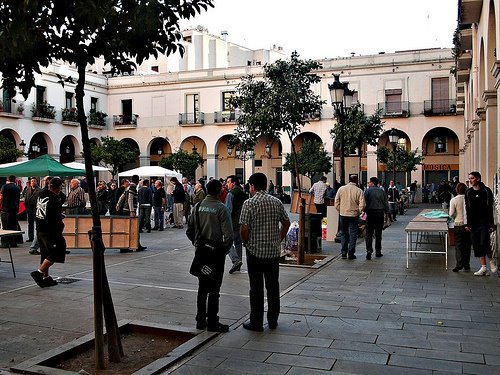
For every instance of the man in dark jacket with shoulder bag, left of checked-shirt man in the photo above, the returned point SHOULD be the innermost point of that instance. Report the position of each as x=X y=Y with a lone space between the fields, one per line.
x=210 y=220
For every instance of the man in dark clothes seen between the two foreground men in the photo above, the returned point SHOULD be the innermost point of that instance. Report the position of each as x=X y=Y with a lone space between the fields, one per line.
x=234 y=202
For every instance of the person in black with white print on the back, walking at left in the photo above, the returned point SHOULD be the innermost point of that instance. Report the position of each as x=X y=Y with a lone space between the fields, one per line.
x=49 y=224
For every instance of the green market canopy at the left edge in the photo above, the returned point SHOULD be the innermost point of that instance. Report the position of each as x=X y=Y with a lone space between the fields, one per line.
x=41 y=166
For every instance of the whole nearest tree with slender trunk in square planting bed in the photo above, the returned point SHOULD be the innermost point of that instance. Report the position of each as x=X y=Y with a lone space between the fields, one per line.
x=39 y=32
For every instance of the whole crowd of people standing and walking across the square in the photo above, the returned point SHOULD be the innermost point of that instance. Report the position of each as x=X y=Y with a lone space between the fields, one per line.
x=223 y=217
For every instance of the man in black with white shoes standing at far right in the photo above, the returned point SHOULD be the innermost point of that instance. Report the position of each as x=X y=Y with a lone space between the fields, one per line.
x=480 y=222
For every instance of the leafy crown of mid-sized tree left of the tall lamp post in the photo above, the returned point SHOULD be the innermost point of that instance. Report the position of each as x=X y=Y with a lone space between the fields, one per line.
x=281 y=102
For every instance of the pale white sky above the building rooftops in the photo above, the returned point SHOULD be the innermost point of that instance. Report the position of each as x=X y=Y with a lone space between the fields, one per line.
x=319 y=29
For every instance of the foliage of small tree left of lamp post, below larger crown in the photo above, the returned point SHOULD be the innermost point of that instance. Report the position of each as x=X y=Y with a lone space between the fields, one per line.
x=312 y=160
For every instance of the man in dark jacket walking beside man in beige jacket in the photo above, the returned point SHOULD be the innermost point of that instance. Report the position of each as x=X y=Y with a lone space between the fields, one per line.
x=376 y=207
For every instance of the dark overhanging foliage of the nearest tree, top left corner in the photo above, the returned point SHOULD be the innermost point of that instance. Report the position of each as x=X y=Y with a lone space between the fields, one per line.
x=37 y=33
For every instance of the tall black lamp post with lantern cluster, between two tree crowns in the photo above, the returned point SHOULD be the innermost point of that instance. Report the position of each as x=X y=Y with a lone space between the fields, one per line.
x=341 y=98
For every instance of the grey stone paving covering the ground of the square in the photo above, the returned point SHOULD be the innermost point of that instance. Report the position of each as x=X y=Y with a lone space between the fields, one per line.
x=348 y=317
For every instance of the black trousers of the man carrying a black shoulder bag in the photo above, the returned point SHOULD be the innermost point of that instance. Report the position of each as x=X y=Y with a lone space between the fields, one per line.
x=207 y=301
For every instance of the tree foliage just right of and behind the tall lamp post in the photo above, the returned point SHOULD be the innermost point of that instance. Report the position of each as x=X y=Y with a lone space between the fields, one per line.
x=359 y=129
